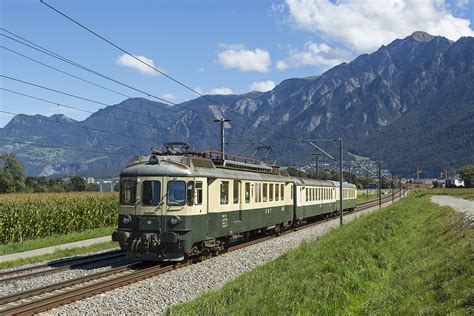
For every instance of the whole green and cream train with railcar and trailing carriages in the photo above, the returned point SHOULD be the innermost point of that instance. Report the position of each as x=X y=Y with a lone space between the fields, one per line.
x=177 y=203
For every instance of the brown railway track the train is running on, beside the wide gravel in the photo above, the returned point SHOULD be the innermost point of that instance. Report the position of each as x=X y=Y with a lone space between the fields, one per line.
x=48 y=297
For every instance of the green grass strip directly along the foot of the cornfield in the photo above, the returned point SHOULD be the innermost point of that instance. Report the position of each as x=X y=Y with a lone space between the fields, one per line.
x=54 y=240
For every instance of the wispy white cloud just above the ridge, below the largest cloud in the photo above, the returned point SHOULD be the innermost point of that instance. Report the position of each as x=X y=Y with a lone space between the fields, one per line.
x=314 y=54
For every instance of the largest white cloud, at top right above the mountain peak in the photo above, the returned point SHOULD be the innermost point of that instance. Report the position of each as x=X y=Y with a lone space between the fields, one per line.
x=366 y=25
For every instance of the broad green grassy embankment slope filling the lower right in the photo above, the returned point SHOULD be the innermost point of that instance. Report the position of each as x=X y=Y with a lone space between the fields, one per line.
x=411 y=258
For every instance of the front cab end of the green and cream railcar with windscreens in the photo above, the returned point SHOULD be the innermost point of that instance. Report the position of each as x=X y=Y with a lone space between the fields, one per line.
x=161 y=210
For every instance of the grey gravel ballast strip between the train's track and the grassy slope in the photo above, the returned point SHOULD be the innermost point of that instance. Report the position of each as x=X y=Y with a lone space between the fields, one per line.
x=154 y=295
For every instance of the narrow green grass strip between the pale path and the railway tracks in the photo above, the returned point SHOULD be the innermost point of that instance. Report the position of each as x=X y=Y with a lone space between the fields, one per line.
x=60 y=254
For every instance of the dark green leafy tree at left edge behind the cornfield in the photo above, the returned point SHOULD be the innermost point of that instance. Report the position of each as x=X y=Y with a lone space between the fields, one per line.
x=12 y=174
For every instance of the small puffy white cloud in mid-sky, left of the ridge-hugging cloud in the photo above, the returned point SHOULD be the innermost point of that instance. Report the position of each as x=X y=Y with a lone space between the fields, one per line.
x=245 y=60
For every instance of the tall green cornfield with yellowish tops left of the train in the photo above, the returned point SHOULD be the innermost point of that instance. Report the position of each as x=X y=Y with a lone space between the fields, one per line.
x=31 y=216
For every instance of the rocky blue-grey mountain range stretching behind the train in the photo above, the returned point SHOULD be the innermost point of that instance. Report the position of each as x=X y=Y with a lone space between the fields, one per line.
x=409 y=104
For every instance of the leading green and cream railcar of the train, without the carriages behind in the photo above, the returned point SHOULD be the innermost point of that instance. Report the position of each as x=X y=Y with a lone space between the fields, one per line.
x=181 y=205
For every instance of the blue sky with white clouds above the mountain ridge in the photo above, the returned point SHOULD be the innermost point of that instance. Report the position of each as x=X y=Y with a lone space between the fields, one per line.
x=213 y=46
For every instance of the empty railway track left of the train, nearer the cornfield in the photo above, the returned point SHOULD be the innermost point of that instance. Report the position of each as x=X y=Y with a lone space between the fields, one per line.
x=57 y=266
